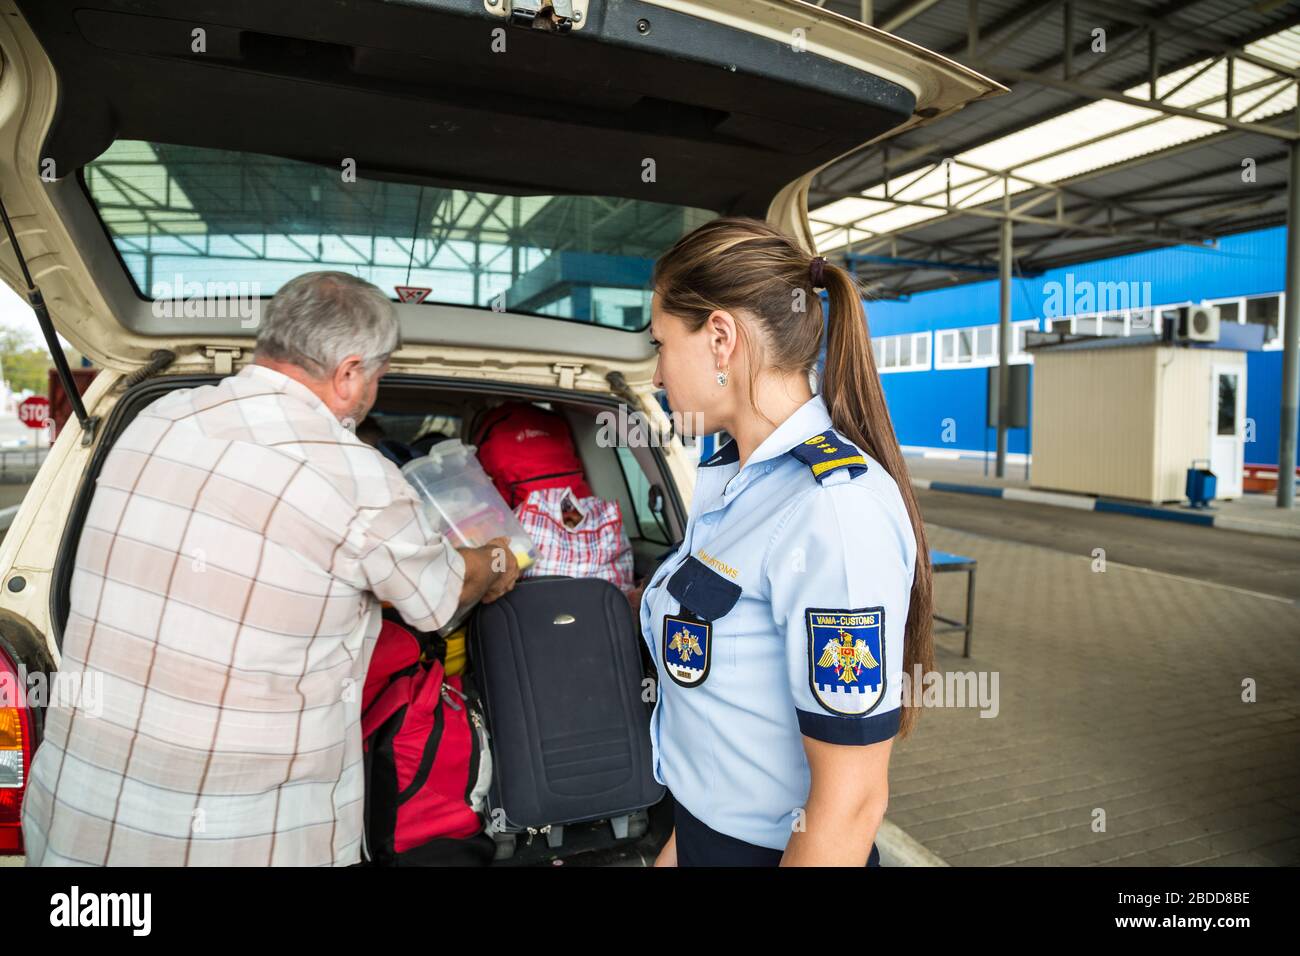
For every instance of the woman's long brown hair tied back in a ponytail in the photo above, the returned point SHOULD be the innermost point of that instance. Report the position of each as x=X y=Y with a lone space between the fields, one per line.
x=744 y=266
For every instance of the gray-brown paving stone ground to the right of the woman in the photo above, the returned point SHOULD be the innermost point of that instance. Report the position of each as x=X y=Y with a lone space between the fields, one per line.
x=1119 y=691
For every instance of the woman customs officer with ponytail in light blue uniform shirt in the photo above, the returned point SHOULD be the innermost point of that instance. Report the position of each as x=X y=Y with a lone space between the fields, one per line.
x=801 y=592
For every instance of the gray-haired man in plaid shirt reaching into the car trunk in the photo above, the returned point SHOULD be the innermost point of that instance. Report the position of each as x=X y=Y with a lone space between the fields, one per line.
x=228 y=587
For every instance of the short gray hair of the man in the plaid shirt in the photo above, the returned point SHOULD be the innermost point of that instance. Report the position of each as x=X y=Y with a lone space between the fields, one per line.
x=319 y=319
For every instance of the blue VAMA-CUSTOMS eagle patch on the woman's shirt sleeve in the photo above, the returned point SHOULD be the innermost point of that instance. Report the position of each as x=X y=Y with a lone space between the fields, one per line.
x=847 y=659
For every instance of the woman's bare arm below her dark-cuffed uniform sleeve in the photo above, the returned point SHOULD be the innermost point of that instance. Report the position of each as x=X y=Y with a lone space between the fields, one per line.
x=846 y=806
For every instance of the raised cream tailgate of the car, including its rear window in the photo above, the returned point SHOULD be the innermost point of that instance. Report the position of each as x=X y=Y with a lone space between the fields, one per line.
x=662 y=113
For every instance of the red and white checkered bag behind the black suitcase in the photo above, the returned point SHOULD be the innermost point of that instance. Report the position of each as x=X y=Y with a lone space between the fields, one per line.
x=597 y=547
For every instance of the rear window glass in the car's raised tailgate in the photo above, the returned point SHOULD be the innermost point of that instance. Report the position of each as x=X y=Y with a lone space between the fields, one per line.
x=185 y=219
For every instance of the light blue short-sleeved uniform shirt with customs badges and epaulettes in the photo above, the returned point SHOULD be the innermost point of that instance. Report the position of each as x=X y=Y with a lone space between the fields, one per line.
x=781 y=616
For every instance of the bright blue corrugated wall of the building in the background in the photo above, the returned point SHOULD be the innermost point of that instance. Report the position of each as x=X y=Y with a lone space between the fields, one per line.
x=922 y=404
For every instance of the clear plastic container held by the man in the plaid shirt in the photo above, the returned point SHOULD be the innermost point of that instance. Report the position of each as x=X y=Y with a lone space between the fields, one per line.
x=462 y=501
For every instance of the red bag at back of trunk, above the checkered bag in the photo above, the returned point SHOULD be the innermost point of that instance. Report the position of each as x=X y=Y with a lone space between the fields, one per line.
x=525 y=448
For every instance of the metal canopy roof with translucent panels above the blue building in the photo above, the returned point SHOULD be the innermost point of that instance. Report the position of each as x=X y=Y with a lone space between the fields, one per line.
x=1080 y=155
